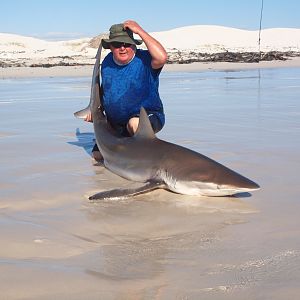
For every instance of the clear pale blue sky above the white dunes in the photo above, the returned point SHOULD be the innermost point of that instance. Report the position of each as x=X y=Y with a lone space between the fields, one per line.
x=63 y=19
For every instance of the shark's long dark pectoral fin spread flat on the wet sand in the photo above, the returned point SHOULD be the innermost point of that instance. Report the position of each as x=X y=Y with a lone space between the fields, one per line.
x=126 y=193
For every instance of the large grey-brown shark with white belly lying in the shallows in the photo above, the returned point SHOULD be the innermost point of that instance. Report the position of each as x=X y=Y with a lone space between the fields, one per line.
x=160 y=164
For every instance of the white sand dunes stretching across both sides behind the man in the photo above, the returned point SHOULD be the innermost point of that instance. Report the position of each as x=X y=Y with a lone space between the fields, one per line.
x=199 y=38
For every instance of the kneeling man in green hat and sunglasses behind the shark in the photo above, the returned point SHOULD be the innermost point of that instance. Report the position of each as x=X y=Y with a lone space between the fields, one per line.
x=130 y=79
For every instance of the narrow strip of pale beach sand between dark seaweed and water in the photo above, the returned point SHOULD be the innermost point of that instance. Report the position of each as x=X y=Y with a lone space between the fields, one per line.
x=83 y=71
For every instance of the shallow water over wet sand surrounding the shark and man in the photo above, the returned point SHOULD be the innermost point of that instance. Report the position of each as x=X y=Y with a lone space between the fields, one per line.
x=57 y=244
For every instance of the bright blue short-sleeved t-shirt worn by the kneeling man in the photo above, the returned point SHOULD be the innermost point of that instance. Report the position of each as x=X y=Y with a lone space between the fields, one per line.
x=127 y=88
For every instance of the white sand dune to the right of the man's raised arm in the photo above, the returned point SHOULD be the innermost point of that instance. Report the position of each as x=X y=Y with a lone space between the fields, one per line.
x=218 y=38
